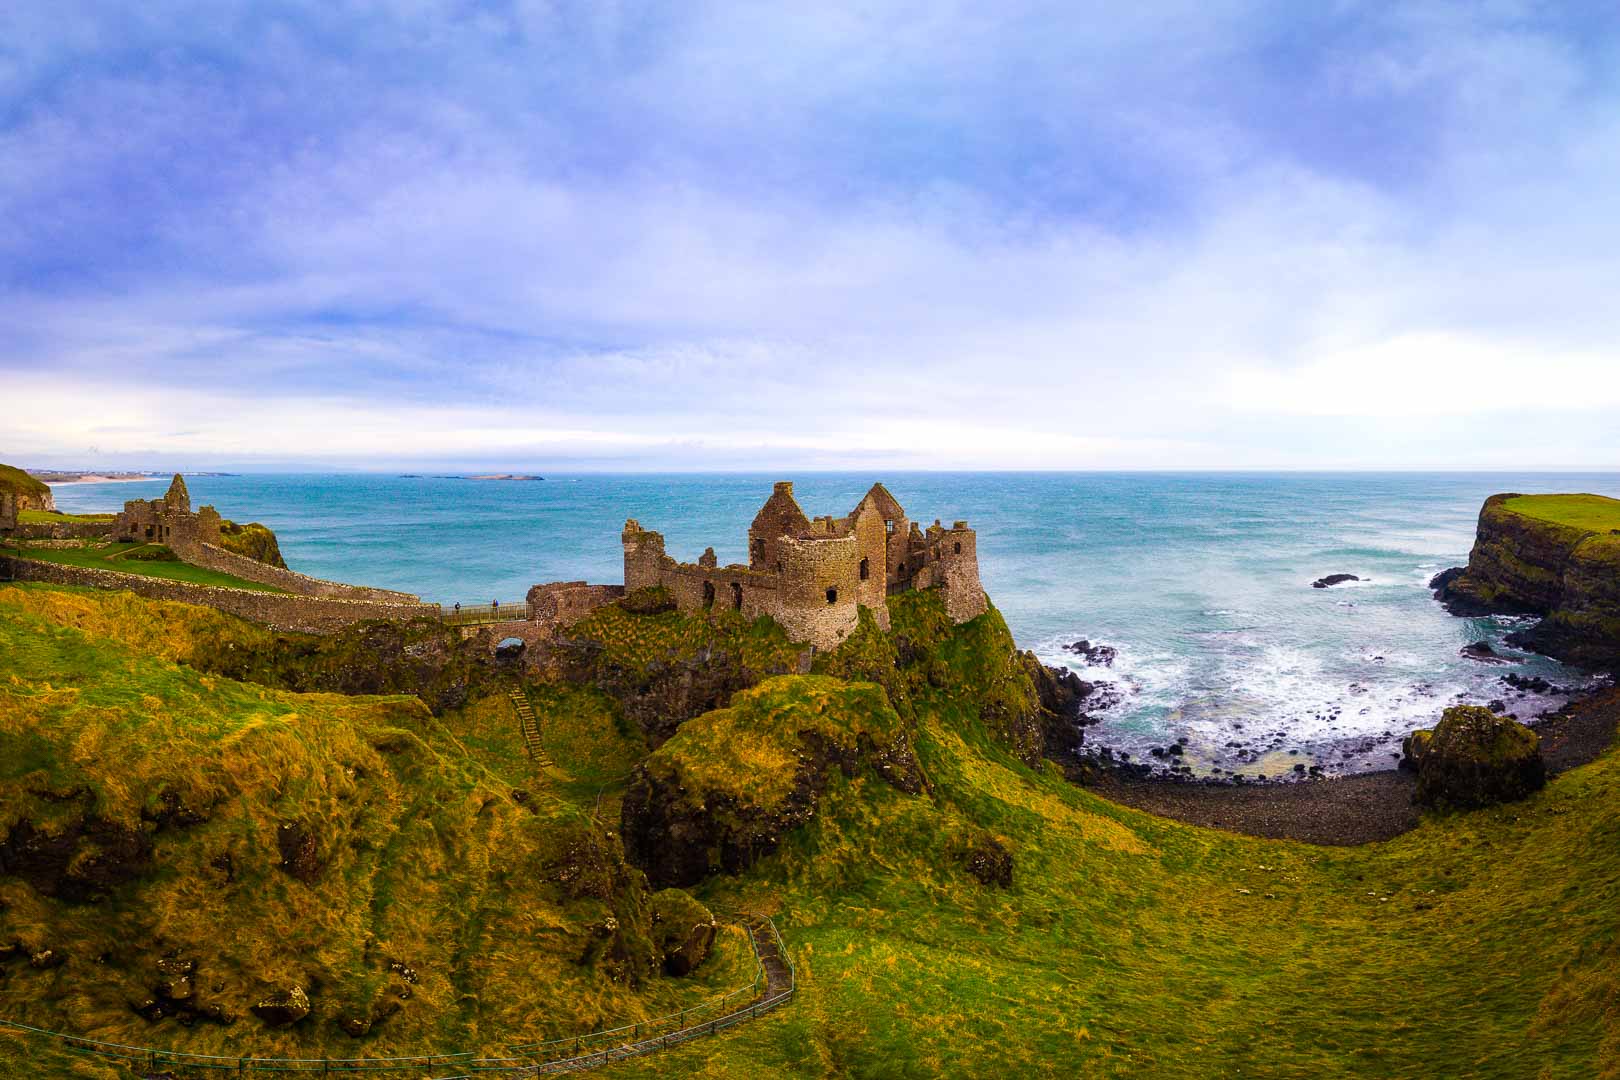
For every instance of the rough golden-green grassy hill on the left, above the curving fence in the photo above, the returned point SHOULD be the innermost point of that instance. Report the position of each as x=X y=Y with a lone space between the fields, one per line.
x=155 y=819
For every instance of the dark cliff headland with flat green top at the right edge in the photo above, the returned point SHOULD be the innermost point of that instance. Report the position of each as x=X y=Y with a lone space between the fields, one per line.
x=1554 y=556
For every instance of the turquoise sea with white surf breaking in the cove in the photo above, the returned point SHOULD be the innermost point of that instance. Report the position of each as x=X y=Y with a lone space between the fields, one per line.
x=1203 y=582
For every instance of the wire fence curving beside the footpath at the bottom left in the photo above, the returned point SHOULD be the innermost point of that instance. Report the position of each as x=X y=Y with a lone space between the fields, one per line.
x=526 y=1060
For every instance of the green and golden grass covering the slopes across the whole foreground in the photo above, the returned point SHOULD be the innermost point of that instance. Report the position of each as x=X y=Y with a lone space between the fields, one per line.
x=1481 y=945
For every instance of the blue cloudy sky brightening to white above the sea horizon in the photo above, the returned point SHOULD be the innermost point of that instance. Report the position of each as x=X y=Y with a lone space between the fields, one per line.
x=919 y=236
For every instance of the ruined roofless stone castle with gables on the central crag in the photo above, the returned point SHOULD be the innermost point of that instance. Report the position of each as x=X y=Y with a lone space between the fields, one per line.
x=814 y=576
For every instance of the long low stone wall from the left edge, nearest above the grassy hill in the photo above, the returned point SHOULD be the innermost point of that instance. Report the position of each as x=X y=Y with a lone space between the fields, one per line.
x=283 y=611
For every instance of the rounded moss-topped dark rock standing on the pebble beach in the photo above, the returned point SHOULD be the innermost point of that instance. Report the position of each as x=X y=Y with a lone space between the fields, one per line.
x=1475 y=759
